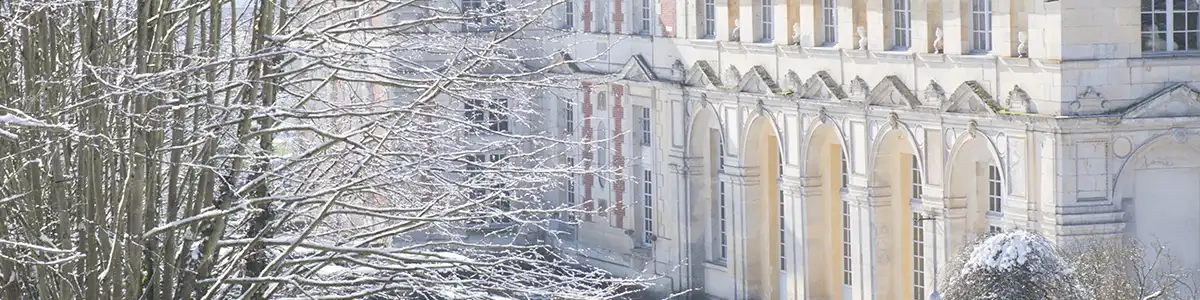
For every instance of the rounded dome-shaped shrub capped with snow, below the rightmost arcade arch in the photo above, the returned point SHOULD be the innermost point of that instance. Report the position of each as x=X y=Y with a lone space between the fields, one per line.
x=1015 y=266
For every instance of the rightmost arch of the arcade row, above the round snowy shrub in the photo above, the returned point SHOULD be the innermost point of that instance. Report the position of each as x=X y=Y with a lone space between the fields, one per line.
x=968 y=172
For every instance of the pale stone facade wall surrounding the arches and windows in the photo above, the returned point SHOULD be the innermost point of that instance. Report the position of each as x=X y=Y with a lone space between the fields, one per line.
x=1061 y=125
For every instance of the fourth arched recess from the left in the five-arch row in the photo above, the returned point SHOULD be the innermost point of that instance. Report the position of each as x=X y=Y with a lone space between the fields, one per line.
x=891 y=189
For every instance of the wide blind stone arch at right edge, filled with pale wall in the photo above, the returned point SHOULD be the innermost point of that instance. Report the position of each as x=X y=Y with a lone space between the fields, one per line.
x=1167 y=171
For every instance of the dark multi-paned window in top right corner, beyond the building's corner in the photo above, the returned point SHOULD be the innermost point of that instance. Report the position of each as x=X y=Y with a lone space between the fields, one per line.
x=1169 y=26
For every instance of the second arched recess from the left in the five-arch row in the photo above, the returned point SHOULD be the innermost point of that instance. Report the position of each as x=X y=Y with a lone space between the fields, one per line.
x=761 y=160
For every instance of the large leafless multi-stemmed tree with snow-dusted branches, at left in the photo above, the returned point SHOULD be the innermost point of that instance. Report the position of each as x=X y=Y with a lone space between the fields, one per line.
x=315 y=149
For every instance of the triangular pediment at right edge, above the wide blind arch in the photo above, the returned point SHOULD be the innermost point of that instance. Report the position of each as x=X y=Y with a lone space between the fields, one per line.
x=1175 y=101
